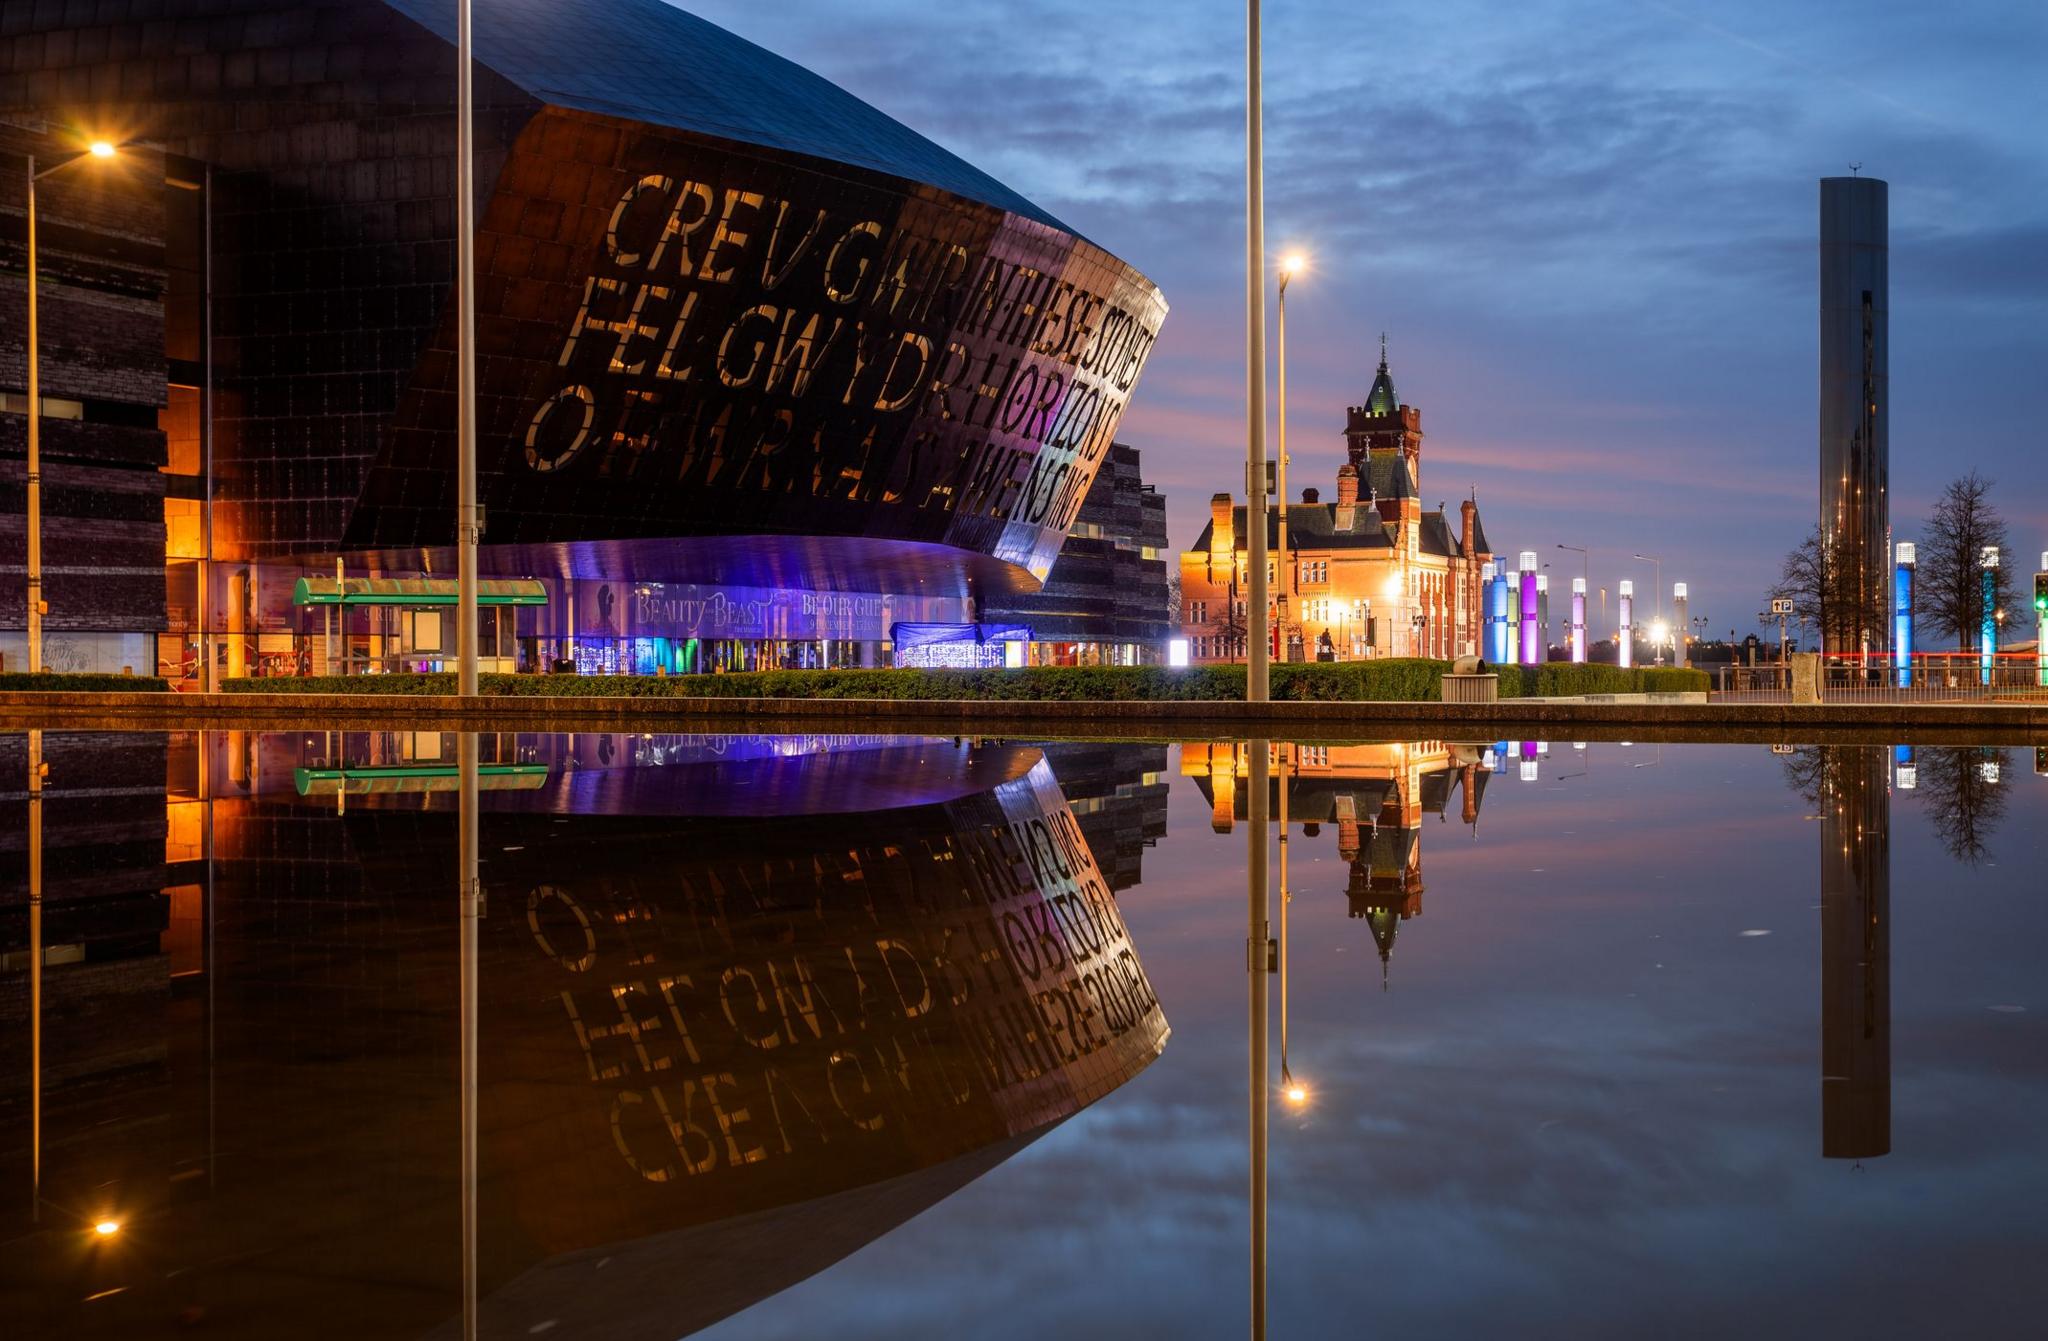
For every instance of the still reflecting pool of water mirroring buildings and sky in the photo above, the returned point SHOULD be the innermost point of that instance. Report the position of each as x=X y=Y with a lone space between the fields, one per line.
x=925 y=1037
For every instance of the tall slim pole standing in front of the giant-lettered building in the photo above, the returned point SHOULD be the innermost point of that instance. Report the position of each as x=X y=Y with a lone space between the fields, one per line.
x=466 y=365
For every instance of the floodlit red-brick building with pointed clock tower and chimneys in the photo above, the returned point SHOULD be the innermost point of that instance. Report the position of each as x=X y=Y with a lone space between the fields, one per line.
x=1371 y=574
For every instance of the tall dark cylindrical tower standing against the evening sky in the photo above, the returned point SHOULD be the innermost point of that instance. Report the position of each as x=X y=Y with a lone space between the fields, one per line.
x=1857 y=513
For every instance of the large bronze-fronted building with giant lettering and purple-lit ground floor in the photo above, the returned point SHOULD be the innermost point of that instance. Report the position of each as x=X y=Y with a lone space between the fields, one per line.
x=763 y=376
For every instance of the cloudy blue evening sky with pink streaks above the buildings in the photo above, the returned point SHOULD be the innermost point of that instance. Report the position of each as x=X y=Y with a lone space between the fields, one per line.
x=1586 y=226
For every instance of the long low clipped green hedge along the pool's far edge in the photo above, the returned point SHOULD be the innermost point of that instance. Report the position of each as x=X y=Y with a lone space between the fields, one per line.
x=1385 y=681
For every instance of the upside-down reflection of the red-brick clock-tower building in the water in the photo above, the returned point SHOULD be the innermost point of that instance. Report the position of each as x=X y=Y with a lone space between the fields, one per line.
x=1377 y=799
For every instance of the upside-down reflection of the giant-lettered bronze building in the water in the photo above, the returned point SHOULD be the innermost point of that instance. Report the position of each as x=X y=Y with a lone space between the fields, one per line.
x=746 y=1004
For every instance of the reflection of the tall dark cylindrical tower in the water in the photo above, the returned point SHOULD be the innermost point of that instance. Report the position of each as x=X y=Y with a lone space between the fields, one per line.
x=1857 y=1004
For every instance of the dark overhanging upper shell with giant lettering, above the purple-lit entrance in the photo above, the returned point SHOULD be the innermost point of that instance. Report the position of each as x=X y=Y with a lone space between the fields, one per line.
x=329 y=128
